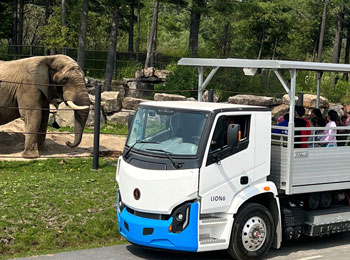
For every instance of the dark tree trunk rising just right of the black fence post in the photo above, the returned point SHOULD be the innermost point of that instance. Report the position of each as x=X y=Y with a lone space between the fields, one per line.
x=112 y=50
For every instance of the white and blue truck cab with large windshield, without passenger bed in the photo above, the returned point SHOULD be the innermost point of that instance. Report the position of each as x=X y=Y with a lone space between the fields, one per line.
x=182 y=178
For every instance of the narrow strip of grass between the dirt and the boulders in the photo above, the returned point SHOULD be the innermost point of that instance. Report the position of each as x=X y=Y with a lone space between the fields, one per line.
x=109 y=128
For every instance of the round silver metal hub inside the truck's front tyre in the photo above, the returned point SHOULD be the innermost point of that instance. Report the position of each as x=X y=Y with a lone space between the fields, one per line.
x=254 y=234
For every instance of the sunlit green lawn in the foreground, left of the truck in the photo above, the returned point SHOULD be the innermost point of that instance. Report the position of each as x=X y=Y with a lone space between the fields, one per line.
x=56 y=205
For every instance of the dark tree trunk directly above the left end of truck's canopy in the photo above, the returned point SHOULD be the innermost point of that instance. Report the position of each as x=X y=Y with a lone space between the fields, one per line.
x=194 y=26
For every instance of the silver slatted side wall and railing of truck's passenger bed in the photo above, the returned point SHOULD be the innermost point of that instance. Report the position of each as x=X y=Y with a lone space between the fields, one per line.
x=310 y=165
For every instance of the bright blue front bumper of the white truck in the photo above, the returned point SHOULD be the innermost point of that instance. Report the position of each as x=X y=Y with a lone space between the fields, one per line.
x=133 y=229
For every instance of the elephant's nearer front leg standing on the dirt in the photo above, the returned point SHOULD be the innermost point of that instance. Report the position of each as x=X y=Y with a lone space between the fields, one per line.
x=32 y=119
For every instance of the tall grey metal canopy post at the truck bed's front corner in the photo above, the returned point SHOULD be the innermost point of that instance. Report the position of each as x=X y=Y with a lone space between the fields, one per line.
x=290 y=148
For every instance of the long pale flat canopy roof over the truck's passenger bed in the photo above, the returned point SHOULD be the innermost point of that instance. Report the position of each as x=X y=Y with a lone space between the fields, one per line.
x=265 y=64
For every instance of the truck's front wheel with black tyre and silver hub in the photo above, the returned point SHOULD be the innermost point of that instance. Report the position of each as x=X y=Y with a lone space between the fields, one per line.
x=252 y=233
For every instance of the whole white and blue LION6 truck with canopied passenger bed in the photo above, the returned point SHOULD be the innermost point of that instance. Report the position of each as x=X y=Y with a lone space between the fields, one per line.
x=198 y=176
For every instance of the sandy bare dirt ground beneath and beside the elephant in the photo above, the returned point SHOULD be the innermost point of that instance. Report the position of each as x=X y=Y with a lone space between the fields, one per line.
x=12 y=144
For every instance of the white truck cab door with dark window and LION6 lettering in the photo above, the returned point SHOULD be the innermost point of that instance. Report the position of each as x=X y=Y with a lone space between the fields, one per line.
x=226 y=171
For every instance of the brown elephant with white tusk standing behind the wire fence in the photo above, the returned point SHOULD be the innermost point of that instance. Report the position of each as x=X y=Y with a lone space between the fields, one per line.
x=29 y=85
